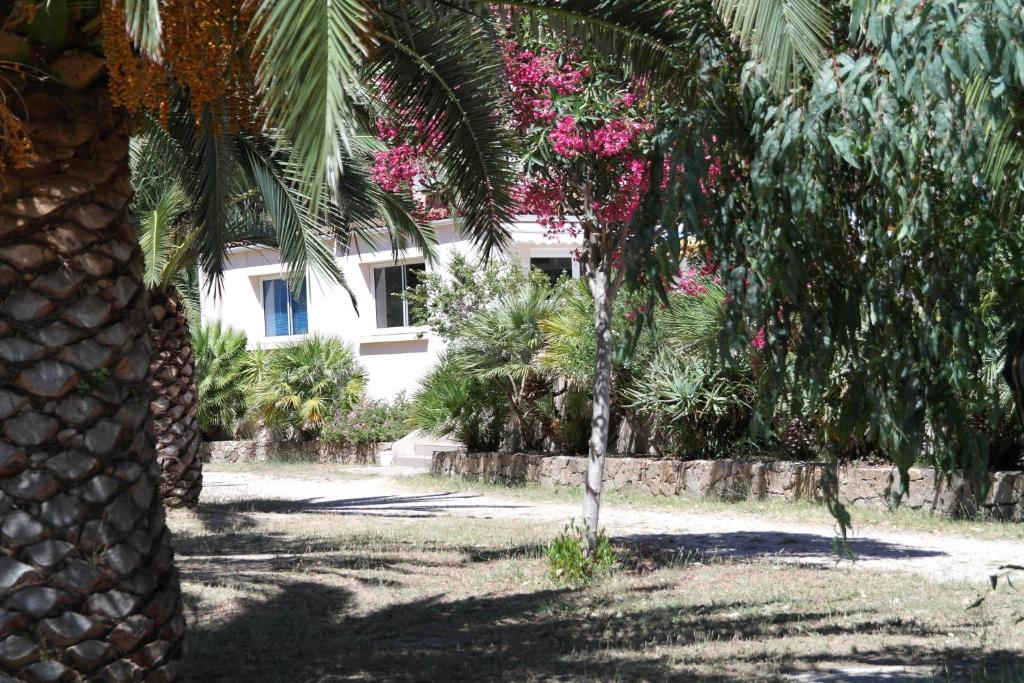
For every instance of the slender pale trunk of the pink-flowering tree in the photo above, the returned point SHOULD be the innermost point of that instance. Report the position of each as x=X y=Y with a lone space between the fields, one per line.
x=603 y=292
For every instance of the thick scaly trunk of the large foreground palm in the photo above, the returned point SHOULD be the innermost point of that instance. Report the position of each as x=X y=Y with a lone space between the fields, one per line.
x=89 y=588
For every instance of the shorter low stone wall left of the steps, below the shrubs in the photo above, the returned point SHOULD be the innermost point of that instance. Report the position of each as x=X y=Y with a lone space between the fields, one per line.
x=313 y=452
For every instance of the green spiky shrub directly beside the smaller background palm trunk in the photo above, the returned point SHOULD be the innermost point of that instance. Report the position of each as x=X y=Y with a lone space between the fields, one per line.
x=221 y=369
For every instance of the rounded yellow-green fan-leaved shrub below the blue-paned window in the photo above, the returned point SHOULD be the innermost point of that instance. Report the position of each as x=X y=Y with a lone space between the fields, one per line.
x=302 y=386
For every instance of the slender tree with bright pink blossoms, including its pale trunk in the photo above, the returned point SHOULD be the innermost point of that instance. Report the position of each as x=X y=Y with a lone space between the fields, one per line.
x=593 y=167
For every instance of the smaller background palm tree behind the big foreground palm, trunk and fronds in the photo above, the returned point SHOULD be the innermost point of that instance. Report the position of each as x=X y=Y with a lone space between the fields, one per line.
x=167 y=167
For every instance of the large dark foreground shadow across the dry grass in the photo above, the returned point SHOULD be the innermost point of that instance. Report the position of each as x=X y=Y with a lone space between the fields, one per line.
x=298 y=630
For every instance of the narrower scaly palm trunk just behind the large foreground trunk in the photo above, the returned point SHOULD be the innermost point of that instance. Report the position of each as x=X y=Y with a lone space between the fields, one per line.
x=176 y=403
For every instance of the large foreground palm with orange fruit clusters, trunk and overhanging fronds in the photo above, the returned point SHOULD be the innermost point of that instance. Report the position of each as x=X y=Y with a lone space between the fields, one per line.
x=91 y=586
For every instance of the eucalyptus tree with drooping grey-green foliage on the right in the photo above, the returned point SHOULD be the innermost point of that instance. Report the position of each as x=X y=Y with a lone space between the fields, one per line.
x=876 y=230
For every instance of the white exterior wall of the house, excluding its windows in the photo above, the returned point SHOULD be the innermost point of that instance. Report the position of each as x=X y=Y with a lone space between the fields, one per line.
x=396 y=358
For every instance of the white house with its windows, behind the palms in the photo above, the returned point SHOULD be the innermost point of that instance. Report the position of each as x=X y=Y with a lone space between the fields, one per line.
x=254 y=298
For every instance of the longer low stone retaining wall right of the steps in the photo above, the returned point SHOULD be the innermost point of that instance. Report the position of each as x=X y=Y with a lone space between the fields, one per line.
x=735 y=480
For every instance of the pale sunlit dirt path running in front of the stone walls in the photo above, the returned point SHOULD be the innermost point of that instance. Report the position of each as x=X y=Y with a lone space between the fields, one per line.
x=377 y=492
